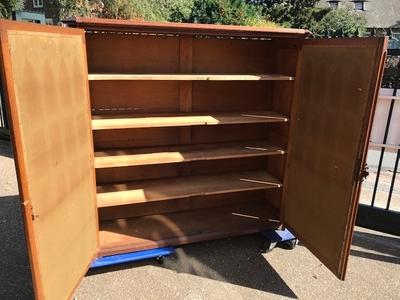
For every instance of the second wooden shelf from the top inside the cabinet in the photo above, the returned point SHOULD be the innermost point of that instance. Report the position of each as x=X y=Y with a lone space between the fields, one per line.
x=121 y=121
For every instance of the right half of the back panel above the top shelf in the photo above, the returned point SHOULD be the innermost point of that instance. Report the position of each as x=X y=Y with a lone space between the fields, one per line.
x=232 y=56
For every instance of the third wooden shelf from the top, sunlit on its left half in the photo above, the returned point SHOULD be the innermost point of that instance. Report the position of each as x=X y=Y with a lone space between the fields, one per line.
x=178 y=154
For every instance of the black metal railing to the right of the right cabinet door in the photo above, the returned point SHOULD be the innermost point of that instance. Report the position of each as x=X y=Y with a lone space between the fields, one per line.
x=380 y=194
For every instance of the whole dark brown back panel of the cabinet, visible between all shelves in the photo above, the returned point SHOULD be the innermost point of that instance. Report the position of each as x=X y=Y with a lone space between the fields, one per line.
x=187 y=55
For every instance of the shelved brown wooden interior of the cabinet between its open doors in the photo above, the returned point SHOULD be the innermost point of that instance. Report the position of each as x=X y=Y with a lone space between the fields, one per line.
x=190 y=135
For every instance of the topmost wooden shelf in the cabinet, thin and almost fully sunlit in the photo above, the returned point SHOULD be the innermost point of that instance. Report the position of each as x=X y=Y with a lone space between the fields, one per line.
x=210 y=77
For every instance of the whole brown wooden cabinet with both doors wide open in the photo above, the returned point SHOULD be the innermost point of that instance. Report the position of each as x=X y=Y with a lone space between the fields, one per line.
x=159 y=134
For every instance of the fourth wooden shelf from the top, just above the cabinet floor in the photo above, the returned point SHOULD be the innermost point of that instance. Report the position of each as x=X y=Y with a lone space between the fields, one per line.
x=182 y=187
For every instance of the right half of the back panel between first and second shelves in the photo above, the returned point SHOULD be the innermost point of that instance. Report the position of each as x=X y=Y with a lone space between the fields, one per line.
x=230 y=96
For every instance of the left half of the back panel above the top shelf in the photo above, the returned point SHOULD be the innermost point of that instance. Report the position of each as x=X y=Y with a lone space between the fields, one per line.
x=128 y=53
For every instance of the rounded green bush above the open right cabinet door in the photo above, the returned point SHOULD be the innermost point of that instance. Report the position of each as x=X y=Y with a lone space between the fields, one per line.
x=341 y=22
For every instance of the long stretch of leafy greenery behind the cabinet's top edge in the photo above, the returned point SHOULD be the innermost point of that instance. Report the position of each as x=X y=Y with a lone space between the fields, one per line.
x=194 y=11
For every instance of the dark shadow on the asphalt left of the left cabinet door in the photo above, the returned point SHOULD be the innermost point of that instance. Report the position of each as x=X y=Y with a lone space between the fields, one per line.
x=15 y=276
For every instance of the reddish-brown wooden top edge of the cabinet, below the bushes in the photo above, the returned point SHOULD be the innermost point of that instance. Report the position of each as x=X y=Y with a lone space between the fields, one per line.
x=183 y=28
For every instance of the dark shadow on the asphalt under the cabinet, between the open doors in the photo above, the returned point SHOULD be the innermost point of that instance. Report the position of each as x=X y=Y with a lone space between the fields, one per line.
x=234 y=260
